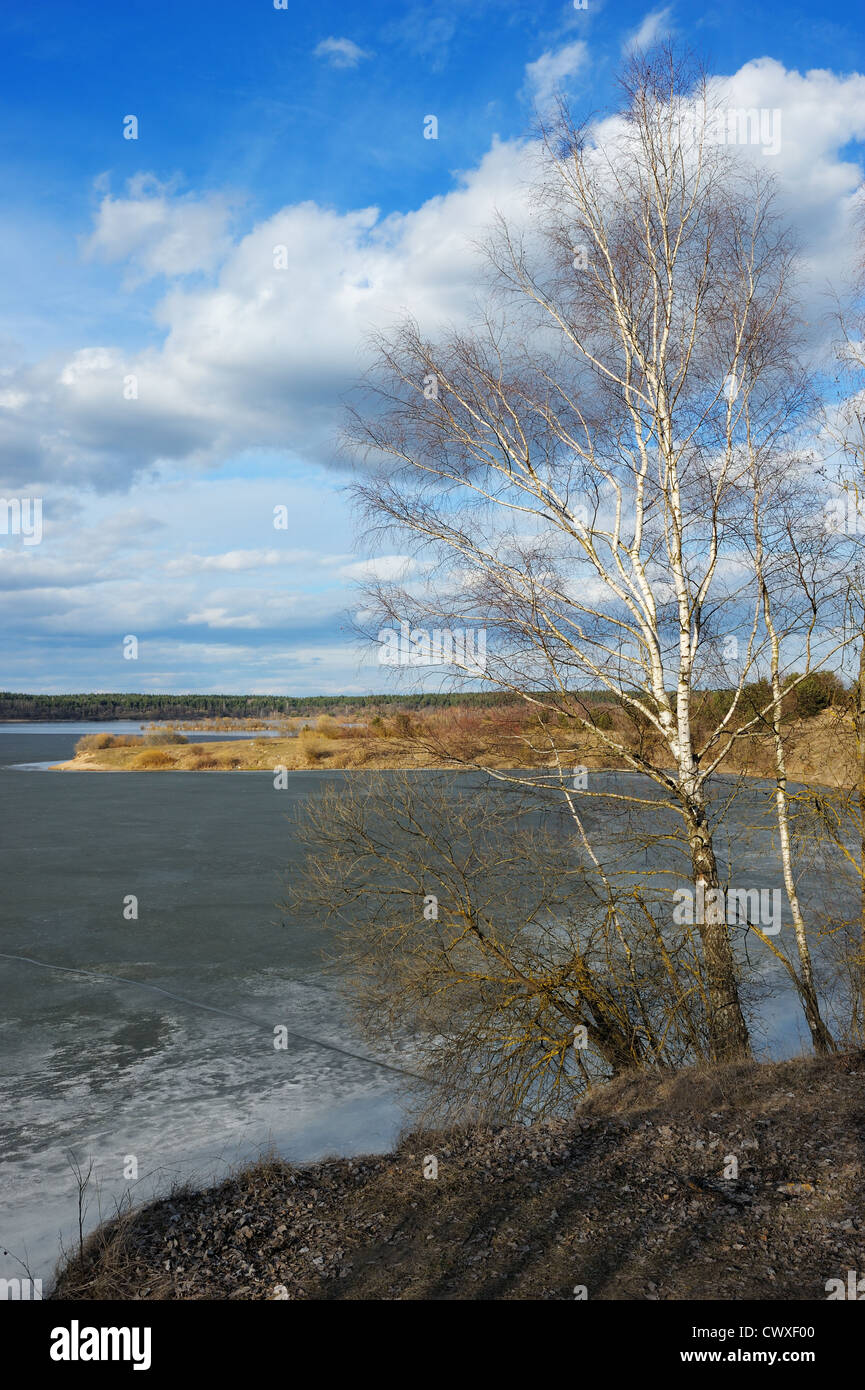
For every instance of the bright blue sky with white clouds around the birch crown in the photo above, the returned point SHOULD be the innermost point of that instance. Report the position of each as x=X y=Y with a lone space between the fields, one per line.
x=207 y=212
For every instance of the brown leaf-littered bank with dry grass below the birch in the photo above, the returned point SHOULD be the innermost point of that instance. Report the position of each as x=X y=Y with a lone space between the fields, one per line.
x=625 y=1200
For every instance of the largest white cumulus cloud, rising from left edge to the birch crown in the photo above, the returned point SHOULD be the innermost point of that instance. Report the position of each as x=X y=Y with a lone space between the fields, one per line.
x=264 y=355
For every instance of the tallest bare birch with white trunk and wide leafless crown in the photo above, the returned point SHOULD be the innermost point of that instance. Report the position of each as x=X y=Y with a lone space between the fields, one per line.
x=581 y=465
